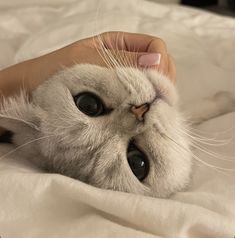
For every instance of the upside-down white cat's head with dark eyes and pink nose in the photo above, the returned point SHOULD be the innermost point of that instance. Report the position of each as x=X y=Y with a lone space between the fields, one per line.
x=116 y=129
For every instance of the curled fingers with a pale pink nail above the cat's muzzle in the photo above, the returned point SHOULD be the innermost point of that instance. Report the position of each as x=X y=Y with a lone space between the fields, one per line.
x=139 y=50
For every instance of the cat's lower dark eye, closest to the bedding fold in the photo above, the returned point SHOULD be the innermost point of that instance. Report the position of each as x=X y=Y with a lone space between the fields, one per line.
x=137 y=162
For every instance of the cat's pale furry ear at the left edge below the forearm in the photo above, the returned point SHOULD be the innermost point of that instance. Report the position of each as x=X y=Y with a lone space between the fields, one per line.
x=16 y=115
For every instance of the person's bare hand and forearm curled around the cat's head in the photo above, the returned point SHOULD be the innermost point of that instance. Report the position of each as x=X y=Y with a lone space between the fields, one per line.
x=129 y=46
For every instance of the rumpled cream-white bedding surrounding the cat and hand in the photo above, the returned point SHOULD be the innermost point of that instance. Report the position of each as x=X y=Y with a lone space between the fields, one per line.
x=36 y=204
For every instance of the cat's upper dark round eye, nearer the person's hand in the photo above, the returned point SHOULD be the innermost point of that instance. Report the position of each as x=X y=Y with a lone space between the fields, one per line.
x=89 y=104
